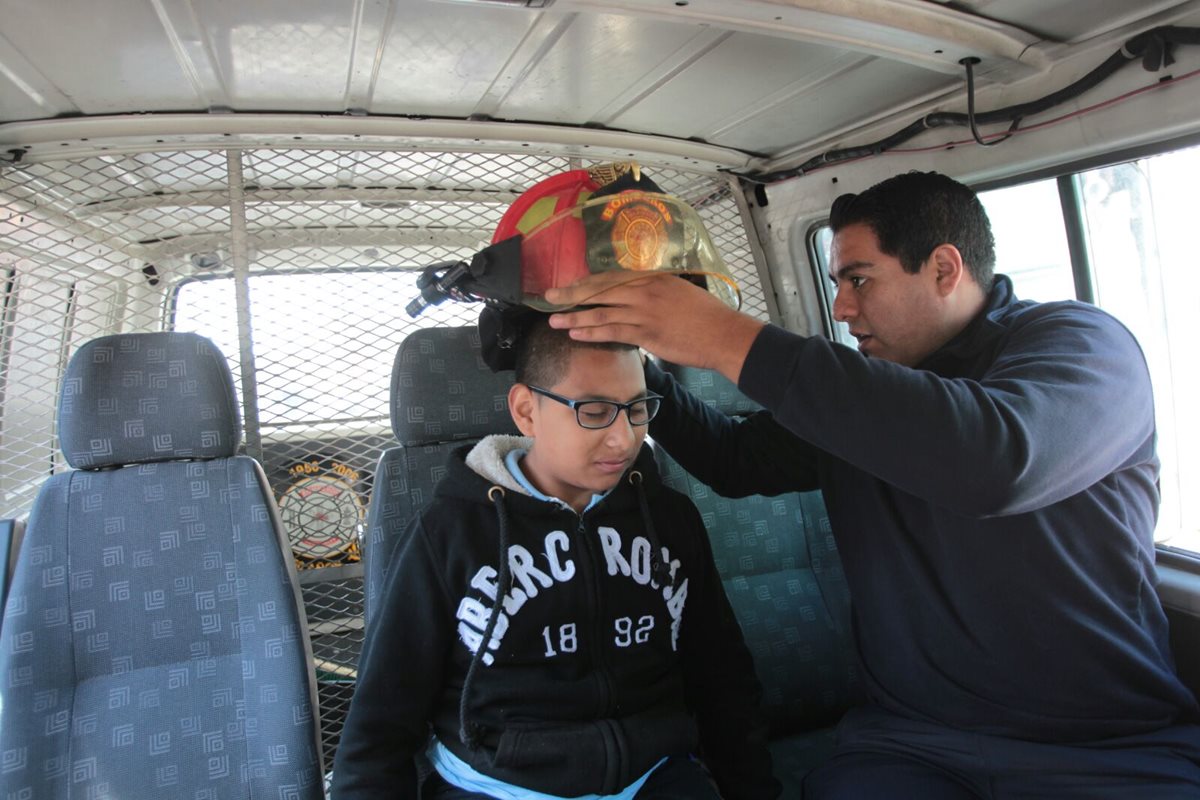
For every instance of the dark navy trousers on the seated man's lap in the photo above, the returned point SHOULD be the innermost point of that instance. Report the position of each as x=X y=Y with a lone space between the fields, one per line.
x=887 y=757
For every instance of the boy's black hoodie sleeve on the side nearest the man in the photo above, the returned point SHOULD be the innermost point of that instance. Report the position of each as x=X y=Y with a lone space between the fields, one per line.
x=721 y=683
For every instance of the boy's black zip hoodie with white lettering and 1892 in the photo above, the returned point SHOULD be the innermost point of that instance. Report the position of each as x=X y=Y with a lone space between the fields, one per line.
x=599 y=667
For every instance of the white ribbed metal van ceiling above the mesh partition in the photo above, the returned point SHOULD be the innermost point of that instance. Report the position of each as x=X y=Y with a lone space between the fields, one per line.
x=767 y=79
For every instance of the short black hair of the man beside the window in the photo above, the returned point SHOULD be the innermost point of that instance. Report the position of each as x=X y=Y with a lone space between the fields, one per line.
x=915 y=213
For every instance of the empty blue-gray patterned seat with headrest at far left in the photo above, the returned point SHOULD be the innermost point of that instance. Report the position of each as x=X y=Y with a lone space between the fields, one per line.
x=154 y=642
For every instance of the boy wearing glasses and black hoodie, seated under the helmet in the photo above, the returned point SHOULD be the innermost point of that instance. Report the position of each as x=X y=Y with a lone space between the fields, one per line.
x=615 y=655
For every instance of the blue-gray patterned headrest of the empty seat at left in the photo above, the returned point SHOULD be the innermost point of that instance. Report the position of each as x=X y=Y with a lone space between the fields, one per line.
x=146 y=398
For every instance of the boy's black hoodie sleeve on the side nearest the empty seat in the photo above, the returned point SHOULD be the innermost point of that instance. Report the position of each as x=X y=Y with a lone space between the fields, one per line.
x=399 y=682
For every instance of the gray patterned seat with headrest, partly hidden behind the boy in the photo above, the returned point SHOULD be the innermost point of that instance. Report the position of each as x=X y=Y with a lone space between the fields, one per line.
x=442 y=398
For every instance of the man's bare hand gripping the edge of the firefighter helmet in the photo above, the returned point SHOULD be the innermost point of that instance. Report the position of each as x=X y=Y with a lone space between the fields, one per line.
x=674 y=320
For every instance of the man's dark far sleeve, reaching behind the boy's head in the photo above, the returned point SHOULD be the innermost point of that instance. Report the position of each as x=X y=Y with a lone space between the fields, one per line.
x=735 y=456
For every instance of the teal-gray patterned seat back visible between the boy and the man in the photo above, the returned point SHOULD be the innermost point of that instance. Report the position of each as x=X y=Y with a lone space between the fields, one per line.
x=782 y=573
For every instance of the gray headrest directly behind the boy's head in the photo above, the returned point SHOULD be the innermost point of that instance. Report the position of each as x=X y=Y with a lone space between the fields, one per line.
x=443 y=392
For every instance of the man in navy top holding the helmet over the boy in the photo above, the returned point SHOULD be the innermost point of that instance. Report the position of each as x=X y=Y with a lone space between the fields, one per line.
x=991 y=473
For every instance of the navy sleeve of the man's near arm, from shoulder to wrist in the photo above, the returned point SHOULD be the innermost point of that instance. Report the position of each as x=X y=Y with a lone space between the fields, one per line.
x=1065 y=404
